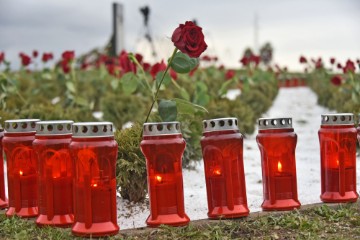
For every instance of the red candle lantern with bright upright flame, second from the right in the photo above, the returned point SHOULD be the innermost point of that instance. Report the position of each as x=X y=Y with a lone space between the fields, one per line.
x=277 y=142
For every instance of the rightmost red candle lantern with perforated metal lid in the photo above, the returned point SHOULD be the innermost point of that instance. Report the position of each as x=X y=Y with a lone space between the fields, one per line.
x=337 y=137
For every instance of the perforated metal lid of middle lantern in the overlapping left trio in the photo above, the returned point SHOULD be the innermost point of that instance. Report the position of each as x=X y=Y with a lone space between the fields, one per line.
x=60 y=127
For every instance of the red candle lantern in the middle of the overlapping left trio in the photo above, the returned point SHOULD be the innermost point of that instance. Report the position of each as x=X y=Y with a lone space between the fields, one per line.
x=55 y=173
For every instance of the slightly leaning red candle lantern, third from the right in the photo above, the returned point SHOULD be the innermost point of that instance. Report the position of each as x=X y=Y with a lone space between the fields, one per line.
x=222 y=148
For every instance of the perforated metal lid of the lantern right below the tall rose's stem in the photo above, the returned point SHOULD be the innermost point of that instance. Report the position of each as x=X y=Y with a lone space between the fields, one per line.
x=161 y=128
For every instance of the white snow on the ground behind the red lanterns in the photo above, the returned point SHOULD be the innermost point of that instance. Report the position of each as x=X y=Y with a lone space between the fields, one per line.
x=298 y=103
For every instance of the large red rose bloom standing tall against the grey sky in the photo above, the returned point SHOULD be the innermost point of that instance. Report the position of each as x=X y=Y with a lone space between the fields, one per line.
x=189 y=39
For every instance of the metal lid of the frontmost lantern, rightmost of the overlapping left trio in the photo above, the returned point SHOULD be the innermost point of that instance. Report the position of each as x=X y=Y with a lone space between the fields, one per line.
x=92 y=129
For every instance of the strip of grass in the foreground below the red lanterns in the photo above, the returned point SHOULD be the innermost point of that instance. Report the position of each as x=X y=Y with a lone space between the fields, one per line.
x=324 y=222
